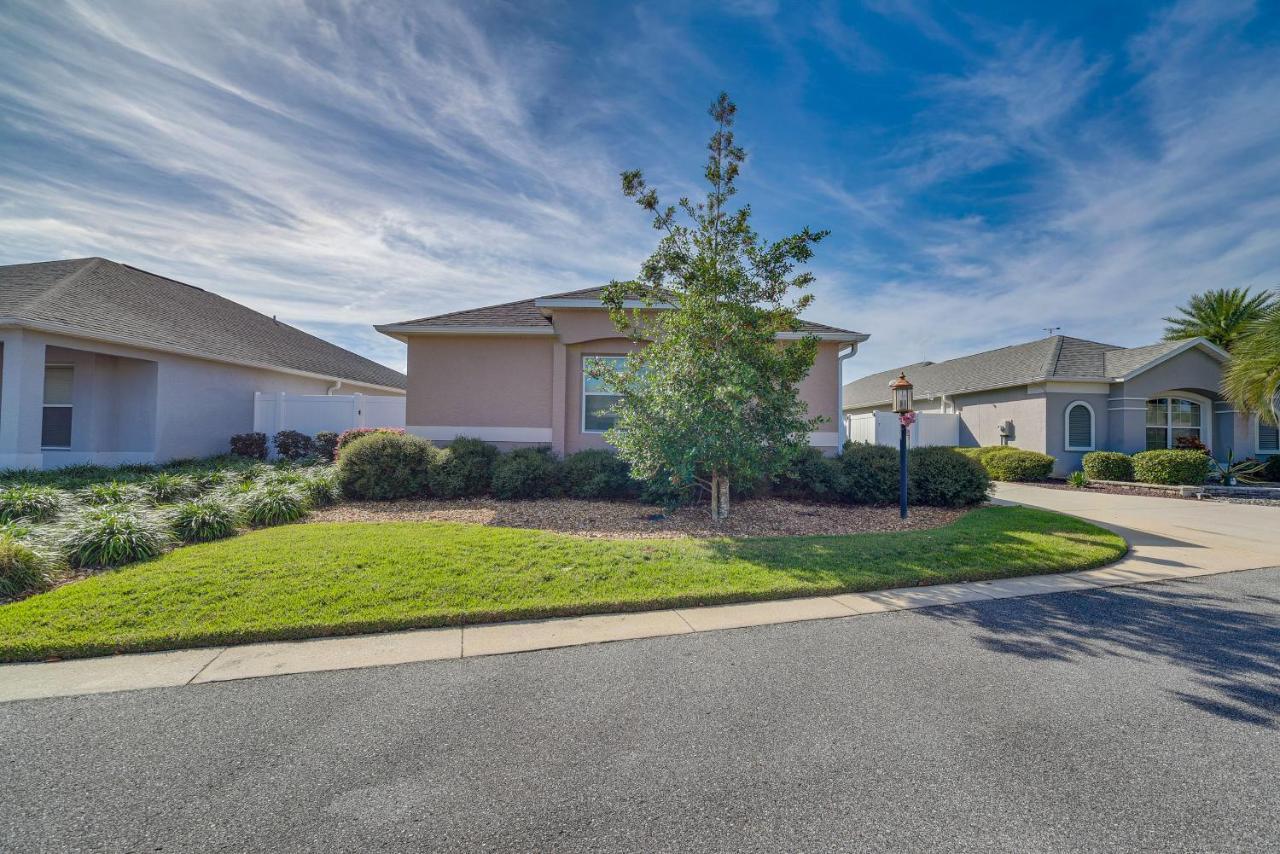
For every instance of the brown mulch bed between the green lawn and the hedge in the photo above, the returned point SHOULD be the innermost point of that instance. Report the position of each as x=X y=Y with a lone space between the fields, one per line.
x=632 y=520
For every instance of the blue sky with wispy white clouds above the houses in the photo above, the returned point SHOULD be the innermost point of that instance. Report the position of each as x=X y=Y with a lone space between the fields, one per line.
x=984 y=173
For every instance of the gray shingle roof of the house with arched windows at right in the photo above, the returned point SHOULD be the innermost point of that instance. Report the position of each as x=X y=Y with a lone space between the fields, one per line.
x=1054 y=358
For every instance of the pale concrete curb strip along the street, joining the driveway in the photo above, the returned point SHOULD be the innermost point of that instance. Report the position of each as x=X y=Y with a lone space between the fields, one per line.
x=1169 y=540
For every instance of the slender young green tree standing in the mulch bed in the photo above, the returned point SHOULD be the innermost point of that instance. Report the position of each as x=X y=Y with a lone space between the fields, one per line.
x=714 y=398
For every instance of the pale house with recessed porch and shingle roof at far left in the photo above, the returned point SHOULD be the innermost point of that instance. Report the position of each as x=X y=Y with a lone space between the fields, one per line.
x=108 y=364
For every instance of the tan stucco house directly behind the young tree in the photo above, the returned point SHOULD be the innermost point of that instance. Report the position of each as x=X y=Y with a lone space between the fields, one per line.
x=513 y=373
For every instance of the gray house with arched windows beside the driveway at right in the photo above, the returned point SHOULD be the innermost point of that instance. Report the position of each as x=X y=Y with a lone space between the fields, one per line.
x=1066 y=398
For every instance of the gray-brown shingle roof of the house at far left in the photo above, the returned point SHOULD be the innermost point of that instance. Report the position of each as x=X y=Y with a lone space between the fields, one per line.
x=100 y=299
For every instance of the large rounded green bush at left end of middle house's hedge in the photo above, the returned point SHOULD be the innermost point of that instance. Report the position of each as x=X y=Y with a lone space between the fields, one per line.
x=383 y=467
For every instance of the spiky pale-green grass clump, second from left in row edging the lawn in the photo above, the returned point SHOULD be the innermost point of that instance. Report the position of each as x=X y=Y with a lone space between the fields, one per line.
x=112 y=536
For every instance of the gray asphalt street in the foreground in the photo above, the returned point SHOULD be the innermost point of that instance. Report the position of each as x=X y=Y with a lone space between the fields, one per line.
x=1124 y=719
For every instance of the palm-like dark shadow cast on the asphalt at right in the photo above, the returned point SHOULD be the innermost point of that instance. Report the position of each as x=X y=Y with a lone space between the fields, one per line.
x=1231 y=647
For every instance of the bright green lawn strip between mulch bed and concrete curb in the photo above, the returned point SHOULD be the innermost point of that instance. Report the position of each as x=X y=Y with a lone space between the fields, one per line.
x=344 y=578
